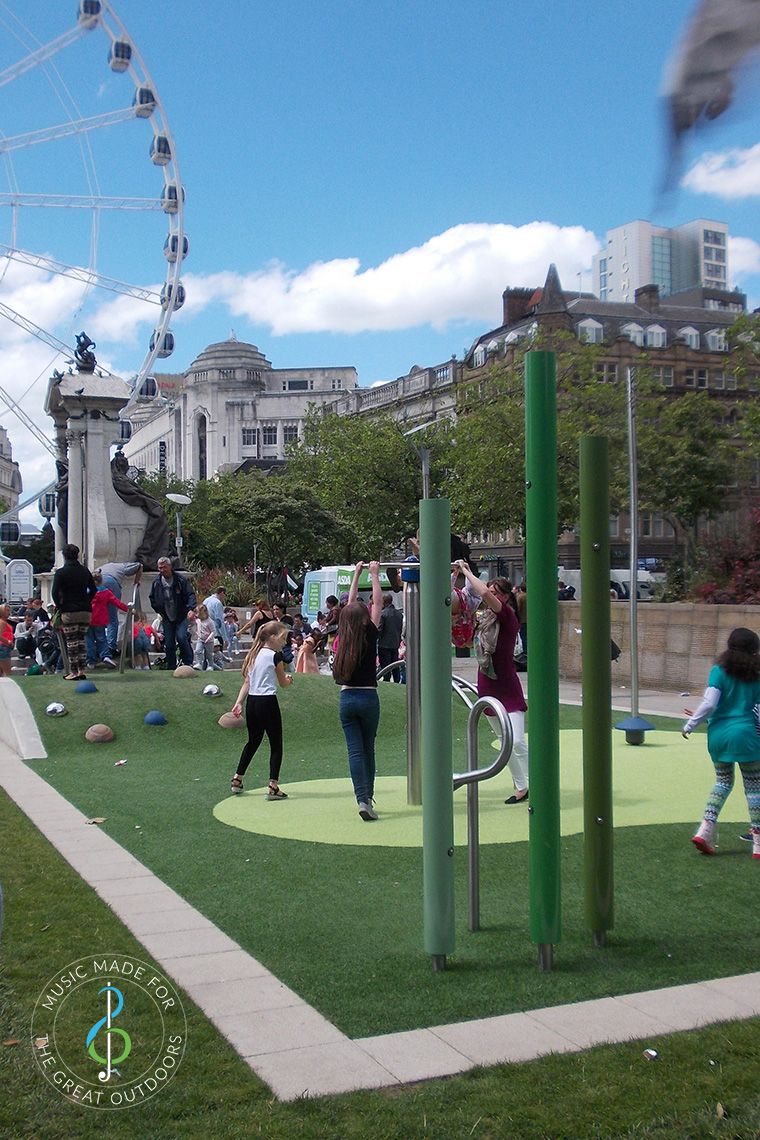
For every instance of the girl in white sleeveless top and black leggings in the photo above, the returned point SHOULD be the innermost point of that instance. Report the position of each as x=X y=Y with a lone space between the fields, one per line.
x=264 y=671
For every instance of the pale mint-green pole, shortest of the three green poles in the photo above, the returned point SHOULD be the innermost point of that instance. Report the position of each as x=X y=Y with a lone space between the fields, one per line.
x=436 y=697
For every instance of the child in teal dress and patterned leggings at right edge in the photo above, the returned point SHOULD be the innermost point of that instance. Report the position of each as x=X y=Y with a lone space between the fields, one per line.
x=732 y=704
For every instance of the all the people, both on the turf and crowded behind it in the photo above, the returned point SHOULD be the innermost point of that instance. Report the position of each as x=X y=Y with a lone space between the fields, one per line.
x=353 y=641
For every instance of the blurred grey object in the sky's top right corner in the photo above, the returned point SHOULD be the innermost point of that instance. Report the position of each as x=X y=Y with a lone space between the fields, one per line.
x=700 y=79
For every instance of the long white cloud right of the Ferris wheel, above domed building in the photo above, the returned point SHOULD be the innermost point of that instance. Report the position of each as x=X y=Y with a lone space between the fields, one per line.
x=454 y=276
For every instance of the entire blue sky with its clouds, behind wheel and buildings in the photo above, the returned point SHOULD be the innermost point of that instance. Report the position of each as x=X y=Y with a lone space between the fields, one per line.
x=363 y=180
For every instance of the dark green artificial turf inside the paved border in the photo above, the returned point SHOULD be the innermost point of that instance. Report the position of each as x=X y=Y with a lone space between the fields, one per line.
x=310 y=913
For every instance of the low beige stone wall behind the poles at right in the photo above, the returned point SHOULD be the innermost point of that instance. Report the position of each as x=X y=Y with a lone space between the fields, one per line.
x=679 y=642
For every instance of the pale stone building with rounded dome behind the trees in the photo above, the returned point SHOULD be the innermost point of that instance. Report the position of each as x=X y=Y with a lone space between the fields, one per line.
x=230 y=409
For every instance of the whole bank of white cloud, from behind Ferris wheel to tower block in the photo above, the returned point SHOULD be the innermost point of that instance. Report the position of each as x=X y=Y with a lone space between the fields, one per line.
x=455 y=276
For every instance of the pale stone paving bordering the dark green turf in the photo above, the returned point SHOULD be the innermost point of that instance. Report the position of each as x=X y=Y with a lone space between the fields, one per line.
x=288 y=1044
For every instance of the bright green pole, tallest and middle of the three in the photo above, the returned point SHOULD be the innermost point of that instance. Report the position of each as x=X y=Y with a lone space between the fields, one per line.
x=544 y=656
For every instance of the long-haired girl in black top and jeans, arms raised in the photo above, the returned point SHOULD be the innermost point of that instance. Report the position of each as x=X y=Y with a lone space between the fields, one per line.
x=356 y=671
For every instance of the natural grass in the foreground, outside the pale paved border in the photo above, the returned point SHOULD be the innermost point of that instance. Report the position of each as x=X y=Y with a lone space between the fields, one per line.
x=52 y=918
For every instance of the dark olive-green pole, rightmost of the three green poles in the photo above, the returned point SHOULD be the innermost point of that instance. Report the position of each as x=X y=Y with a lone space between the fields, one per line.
x=598 y=686
